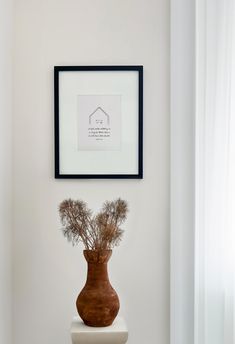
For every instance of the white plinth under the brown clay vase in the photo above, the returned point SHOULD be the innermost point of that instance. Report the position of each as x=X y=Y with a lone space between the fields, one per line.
x=117 y=333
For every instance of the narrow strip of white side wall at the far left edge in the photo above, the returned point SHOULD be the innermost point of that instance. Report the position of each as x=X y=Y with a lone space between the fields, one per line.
x=5 y=169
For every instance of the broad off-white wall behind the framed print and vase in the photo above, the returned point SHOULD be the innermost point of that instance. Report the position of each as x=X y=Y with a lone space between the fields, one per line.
x=48 y=272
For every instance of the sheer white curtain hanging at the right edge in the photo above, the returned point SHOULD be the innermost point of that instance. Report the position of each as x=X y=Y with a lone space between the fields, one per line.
x=215 y=173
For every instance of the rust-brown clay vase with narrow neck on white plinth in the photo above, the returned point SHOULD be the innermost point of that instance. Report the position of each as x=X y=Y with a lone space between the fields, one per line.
x=98 y=303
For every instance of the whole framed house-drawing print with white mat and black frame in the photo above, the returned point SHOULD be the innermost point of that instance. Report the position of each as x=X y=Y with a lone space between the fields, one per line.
x=98 y=121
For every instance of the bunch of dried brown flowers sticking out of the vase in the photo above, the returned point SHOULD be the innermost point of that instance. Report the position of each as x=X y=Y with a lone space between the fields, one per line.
x=97 y=232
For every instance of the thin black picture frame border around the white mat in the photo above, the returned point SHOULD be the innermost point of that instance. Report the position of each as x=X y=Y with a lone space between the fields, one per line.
x=139 y=150
